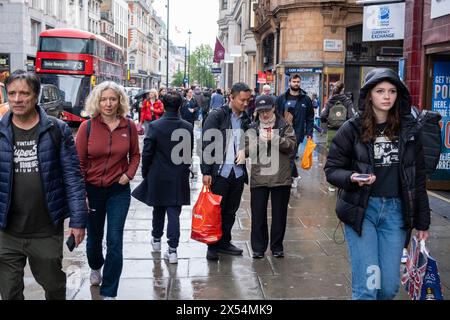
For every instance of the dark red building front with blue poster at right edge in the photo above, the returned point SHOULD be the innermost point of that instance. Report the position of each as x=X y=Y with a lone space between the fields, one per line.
x=427 y=68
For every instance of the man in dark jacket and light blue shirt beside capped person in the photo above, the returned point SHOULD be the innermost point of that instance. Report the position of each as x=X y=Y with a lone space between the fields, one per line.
x=225 y=173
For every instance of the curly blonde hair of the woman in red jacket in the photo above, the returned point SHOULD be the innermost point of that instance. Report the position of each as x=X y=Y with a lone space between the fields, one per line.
x=93 y=100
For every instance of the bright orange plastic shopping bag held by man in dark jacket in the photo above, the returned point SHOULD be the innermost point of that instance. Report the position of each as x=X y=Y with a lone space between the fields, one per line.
x=206 y=217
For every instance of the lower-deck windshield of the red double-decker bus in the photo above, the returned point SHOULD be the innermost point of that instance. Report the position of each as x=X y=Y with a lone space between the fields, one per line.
x=74 y=89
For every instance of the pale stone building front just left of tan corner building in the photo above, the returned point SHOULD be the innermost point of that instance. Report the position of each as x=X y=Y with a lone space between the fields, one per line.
x=236 y=20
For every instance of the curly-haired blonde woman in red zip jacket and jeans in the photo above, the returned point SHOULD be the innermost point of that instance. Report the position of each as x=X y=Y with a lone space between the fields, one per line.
x=108 y=149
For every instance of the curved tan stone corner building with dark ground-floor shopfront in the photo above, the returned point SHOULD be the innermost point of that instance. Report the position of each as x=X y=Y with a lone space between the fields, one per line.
x=304 y=37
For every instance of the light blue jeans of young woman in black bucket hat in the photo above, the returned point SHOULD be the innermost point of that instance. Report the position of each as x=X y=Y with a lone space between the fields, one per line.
x=375 y=256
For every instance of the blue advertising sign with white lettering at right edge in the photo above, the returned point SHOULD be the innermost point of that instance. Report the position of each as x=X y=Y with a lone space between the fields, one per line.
x=441 y=103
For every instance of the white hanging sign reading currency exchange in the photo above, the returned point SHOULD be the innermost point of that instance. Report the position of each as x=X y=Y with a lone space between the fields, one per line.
x=384 y=22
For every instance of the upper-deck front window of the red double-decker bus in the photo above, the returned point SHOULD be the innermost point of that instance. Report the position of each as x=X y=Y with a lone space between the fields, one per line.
x=67 y=45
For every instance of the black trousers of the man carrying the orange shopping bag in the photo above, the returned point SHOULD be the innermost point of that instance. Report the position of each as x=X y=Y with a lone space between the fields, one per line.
x=231 y=191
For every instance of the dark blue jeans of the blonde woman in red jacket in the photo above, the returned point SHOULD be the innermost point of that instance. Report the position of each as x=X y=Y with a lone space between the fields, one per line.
x=110 y=203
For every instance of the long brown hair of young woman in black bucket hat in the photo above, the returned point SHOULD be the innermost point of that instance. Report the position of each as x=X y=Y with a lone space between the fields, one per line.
x=369 y=121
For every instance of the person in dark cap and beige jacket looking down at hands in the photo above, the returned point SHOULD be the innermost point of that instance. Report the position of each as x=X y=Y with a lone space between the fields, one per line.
x=270 y=144
